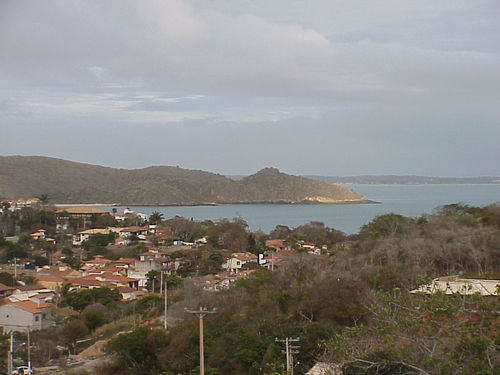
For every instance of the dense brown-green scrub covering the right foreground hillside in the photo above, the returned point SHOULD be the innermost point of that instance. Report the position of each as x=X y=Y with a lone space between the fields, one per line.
x=352 y=307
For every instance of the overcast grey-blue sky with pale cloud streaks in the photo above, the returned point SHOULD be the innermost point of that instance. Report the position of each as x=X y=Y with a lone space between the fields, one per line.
x=329 y=87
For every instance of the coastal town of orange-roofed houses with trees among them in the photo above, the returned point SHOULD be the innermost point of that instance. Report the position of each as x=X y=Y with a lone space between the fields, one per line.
x=56 y=251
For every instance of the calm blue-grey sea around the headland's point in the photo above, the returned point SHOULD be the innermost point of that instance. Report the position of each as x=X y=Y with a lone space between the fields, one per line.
x=407 y=200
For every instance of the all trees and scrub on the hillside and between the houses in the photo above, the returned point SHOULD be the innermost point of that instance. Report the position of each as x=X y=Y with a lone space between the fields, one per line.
x=350 y=306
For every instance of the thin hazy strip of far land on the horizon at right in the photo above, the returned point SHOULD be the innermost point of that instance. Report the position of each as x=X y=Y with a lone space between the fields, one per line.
x=405 y=180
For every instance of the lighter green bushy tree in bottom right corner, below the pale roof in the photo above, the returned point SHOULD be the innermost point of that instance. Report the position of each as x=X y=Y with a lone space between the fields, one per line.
x=420 y=334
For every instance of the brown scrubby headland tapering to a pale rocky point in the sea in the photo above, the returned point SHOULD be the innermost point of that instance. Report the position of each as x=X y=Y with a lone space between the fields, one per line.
x=70 y=182
